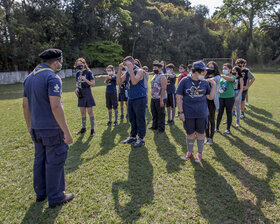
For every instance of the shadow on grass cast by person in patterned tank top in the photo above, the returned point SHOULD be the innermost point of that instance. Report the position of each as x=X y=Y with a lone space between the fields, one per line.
x=167 y=151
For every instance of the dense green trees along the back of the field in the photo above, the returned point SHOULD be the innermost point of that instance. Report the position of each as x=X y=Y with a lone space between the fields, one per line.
x=104 y=31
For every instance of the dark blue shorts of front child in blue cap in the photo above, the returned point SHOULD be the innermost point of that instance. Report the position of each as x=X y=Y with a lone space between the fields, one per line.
x=199 y=125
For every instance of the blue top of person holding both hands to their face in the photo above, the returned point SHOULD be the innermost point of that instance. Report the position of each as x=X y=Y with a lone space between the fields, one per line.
x=136 y=91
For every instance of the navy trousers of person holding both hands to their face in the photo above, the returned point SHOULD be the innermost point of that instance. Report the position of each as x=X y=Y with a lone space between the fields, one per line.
x=137 y=117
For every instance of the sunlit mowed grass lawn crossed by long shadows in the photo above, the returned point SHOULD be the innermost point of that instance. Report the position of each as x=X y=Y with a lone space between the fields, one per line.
x=237 y=182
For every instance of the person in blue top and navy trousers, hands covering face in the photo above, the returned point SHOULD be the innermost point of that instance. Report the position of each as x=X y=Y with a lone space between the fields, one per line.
x=134 y=76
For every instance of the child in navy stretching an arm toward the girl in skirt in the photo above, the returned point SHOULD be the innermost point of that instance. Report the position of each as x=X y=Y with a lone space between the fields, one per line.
x=111 y=93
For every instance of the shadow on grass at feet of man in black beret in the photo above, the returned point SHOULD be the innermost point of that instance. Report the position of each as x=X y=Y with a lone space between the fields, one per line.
x=35 y=214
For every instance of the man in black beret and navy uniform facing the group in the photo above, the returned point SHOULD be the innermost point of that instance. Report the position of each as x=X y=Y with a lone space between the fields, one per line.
x=44 y=116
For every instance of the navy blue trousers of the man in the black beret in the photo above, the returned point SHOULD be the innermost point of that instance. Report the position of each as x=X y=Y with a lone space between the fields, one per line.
x=48 y=169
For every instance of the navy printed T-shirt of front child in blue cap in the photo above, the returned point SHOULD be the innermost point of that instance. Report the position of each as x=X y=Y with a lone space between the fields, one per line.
x=194 y=97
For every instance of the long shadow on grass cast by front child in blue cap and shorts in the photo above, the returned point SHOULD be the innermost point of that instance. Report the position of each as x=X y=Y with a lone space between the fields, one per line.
x=216 y=198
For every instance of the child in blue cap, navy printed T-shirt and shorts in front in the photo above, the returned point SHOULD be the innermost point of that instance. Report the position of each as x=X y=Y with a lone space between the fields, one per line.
x=192 y=95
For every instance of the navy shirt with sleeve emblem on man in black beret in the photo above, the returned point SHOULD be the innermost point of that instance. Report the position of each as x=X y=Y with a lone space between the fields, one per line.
x=38 y=86
